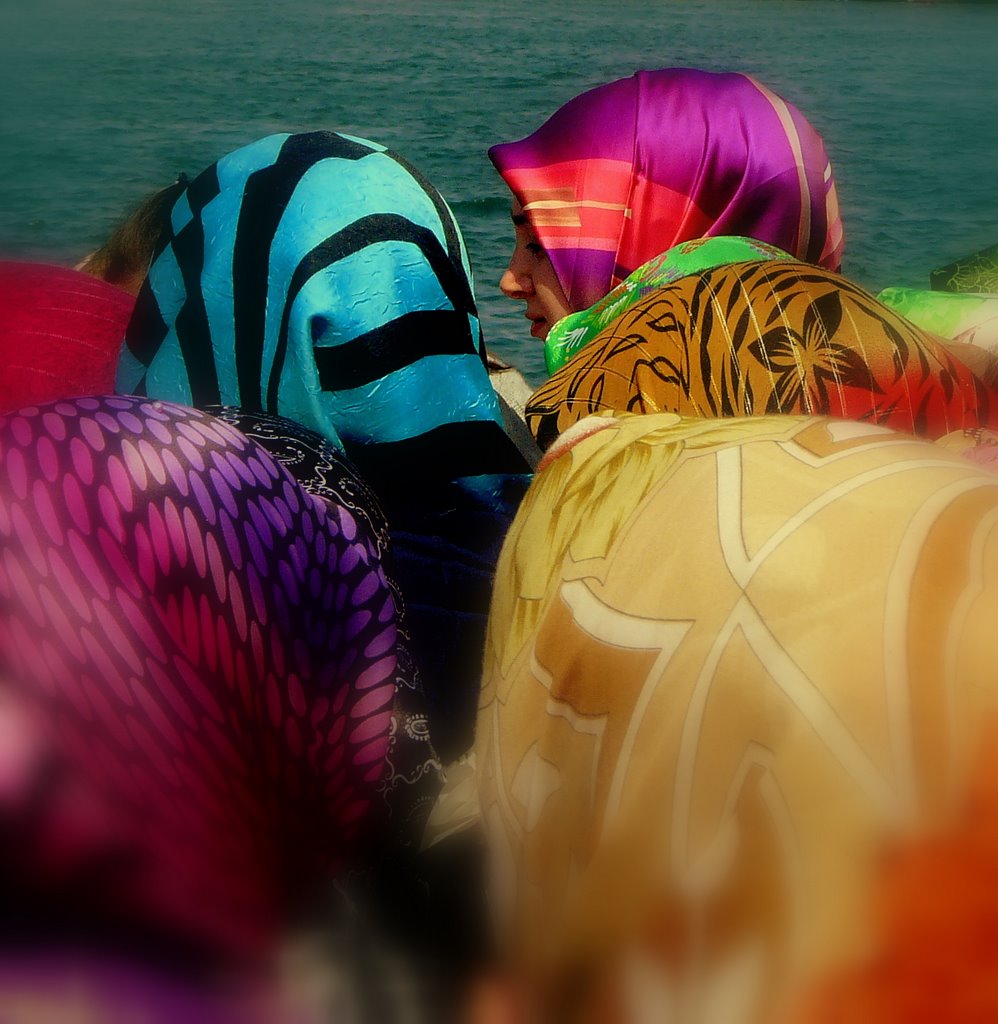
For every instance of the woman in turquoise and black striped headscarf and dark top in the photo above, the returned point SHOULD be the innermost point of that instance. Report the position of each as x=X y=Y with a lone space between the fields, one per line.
x=320 y=278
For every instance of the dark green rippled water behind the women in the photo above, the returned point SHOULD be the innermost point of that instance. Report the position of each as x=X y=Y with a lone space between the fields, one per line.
x=111 y=101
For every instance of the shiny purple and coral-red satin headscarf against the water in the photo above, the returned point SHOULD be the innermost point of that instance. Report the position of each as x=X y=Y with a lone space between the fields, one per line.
x=626 y=172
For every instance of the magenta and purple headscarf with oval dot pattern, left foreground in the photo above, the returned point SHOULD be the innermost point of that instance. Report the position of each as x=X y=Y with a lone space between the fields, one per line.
x=198 y=667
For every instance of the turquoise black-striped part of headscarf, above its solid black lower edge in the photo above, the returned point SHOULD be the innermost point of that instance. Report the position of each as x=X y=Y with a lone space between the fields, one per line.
x=318 y=278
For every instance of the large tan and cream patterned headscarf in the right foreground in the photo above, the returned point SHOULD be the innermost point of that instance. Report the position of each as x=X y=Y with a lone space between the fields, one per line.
x=801 y=677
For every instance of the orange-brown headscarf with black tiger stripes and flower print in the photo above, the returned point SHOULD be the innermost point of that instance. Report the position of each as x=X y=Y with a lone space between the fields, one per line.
x=763 y=338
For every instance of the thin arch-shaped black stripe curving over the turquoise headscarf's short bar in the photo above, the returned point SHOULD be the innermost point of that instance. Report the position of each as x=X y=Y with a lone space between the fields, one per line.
x=367 y=232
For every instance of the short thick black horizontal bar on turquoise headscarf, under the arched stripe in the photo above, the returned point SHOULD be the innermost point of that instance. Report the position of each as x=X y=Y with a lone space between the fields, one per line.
x=392 y=347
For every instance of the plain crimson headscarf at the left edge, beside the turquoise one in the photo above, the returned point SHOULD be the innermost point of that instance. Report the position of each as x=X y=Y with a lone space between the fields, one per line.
x=61 y=333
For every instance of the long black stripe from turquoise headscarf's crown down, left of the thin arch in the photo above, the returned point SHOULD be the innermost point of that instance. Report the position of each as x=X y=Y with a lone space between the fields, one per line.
x=266 y=198
